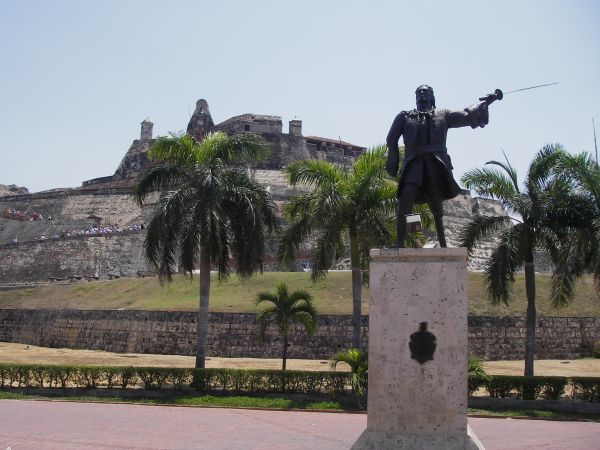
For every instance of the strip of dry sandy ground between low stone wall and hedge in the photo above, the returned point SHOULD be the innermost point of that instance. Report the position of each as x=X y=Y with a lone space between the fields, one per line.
x=21 y=353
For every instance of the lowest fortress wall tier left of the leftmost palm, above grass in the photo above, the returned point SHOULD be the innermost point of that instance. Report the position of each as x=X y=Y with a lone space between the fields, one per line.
x=84 y=256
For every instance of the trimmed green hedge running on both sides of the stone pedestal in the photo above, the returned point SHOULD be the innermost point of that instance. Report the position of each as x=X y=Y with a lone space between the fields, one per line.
x=239 y=381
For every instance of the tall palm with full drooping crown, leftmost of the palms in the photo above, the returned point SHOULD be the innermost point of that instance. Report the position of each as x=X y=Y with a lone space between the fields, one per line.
x=215 y=211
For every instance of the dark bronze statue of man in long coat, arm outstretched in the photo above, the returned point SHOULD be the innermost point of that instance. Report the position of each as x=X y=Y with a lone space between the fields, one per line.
x=426 y=174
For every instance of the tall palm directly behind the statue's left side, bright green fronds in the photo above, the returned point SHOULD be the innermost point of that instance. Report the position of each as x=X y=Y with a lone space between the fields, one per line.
x=357 y=203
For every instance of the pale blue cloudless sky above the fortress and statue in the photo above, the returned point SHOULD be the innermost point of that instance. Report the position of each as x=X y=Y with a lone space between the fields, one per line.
x=77 y=77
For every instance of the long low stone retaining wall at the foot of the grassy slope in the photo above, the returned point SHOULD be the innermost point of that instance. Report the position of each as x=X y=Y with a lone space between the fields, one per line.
x=234 y=335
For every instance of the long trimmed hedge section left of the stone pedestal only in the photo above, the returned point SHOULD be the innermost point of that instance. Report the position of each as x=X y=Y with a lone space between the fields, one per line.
x=207 y=380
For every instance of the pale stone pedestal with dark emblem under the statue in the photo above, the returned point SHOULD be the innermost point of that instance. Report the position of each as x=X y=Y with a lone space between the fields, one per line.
x=417 y=404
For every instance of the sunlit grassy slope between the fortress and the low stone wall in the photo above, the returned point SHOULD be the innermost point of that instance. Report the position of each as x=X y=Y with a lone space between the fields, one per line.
x=333 y=295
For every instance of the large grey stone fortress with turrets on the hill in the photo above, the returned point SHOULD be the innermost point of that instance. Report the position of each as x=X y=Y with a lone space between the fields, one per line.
x=106 y=202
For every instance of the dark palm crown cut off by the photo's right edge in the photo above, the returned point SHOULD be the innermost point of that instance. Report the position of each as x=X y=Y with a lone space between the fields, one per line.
x=578 y=250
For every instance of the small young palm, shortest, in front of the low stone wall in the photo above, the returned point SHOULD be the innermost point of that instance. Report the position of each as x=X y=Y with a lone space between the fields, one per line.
x=285 y=307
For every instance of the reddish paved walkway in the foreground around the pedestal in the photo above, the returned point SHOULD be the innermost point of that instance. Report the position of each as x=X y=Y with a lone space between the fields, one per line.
x=36 y=425
